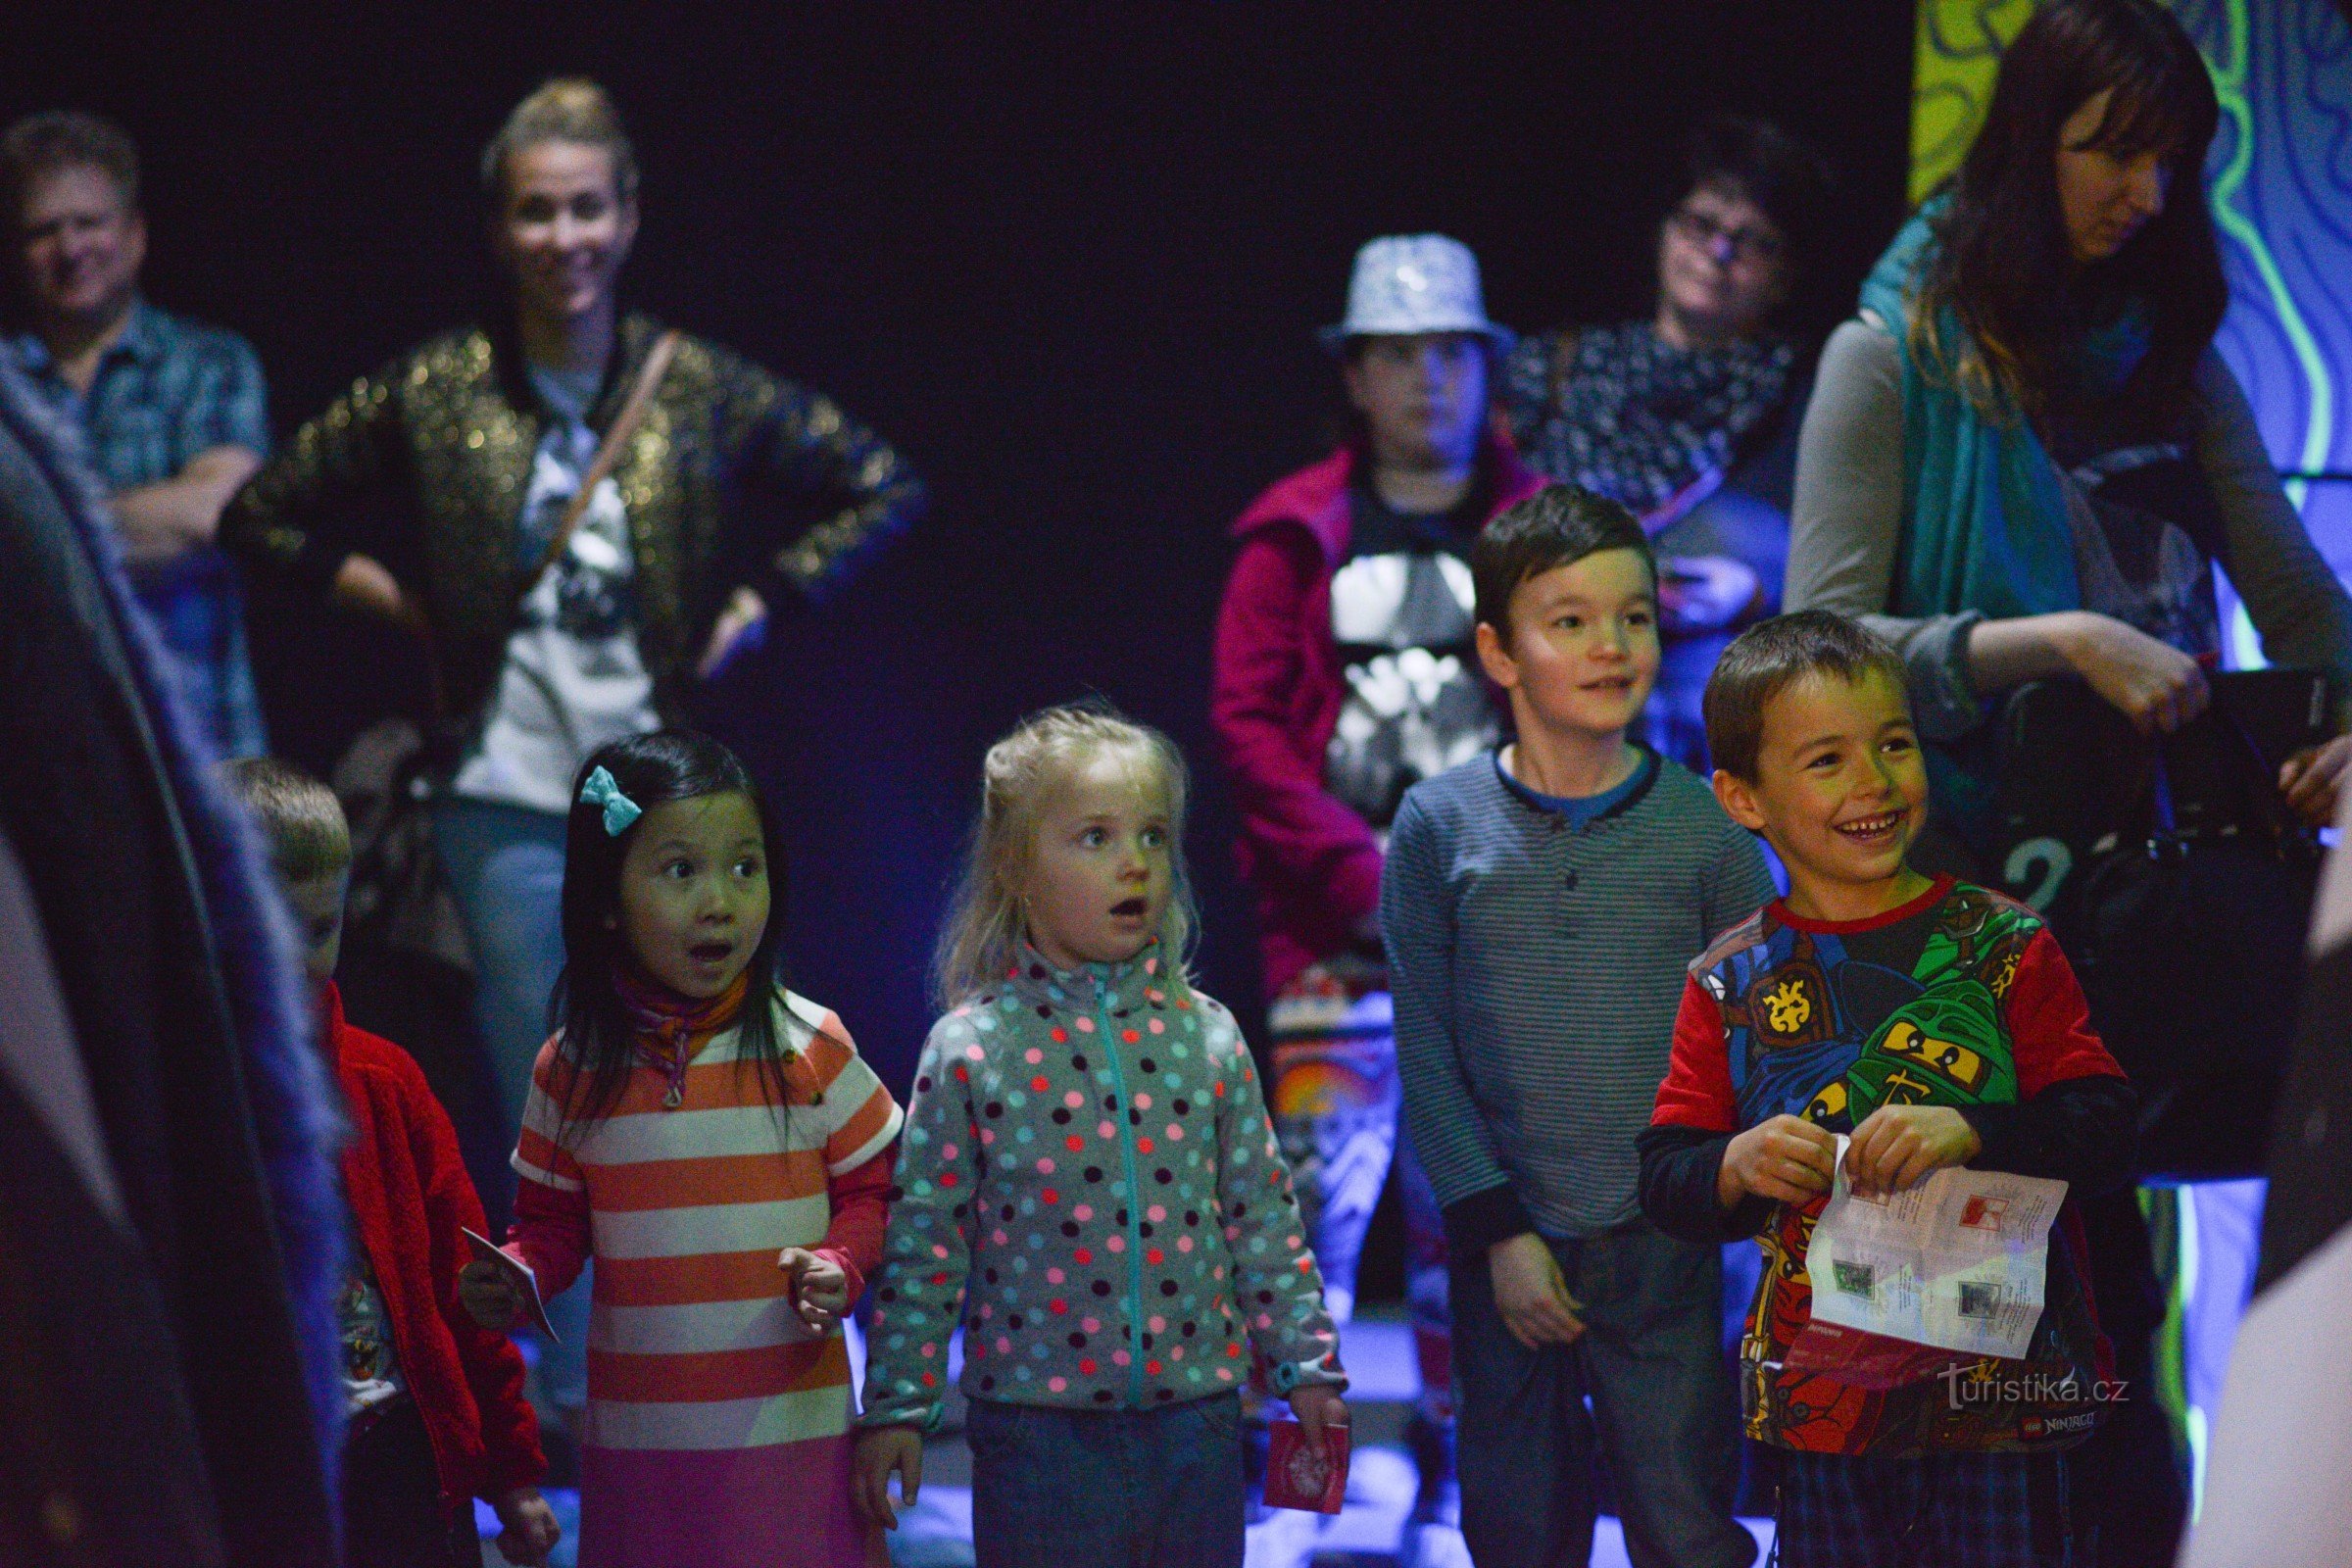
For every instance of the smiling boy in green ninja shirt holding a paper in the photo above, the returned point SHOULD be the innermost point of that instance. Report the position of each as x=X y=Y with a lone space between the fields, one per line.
x=1939 y=1026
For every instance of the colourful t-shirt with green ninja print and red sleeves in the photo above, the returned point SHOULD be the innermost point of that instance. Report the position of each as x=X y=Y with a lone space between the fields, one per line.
x=1958 y=998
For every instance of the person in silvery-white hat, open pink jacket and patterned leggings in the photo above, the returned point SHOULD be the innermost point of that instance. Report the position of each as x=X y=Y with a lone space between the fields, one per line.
x=1344 y=676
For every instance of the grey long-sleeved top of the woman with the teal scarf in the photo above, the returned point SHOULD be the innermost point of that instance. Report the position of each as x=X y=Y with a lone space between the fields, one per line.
x=1847 y=528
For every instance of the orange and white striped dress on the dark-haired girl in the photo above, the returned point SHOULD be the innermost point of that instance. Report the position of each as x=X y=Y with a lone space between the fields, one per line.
x=719 y=1423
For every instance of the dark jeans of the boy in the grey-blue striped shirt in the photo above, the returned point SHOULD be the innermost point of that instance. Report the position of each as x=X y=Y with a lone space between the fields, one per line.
x=1662 y=1412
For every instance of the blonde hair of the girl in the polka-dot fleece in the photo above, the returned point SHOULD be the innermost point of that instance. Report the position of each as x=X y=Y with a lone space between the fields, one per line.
x=1020 y=779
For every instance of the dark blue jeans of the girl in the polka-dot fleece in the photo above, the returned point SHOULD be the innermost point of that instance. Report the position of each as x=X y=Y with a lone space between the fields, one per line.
x=1107 y=1489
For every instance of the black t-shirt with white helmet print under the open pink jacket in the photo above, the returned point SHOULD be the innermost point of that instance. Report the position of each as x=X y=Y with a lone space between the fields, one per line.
x=1403 y=619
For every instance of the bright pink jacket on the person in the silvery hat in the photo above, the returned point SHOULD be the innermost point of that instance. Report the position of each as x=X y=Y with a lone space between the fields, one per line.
x=1276 y=695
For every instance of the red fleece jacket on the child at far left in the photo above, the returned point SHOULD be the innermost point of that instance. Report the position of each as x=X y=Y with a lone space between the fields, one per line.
x=410 y=1198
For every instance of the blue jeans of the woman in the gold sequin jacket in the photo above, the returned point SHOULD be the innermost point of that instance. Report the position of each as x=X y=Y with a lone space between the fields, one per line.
x=507 y=876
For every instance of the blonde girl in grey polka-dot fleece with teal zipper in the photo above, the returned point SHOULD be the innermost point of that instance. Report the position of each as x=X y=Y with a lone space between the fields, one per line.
x=1090 y=1186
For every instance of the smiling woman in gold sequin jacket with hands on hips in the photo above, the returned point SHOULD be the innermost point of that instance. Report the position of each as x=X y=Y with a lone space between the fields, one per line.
x=733 y=492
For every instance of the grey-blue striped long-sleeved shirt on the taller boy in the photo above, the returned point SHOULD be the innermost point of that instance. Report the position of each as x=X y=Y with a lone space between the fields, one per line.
x=1537 y=967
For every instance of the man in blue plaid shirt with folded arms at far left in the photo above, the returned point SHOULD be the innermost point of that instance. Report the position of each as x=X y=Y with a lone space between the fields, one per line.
x=171 y=410
